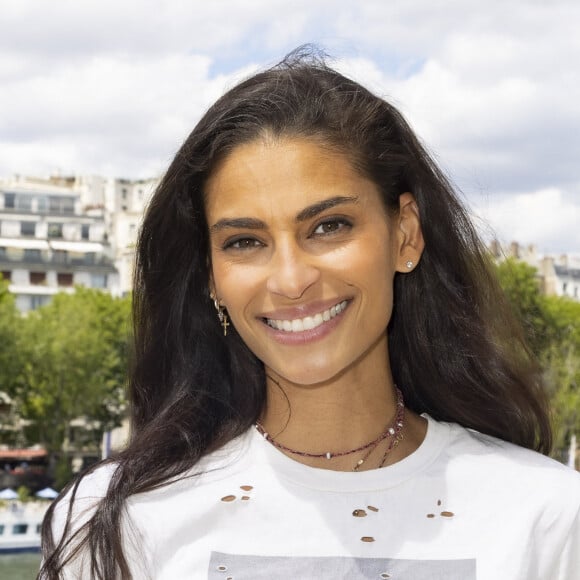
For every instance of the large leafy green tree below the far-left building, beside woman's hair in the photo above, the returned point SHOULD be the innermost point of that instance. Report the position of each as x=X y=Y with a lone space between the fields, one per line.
x=75 y=365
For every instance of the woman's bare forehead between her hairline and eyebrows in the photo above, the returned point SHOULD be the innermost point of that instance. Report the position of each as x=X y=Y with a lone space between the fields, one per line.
x=281 y=176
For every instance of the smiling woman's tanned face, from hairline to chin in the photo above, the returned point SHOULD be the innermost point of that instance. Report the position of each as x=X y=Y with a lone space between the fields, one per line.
x=303 y=256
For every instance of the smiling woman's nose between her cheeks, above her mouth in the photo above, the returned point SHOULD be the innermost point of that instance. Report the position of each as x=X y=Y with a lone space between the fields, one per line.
x=292 y=272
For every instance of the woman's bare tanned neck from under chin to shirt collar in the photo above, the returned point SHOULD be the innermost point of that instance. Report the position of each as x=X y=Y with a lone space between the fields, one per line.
x=338 y=415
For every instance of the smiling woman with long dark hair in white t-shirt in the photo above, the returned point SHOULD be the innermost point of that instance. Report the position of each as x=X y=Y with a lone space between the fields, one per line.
x=327 y=384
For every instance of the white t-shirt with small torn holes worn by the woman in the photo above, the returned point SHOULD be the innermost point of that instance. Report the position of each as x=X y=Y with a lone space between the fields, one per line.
x=463 y=506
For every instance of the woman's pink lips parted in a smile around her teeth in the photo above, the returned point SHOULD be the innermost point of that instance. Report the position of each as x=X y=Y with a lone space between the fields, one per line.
x=309 y=335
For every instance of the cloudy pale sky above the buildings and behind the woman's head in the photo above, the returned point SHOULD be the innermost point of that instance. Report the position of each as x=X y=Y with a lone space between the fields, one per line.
x=113 y=87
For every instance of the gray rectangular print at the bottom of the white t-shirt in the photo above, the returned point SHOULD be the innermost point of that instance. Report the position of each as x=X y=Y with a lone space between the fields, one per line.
x=243 y=567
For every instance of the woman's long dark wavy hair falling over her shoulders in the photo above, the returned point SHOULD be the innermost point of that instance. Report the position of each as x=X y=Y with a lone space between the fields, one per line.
x=454 y=348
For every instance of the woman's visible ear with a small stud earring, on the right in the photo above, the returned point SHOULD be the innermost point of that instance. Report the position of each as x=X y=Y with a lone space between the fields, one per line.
x=409 y=234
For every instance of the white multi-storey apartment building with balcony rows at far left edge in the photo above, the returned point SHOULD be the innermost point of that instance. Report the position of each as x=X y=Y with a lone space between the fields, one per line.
x=49 y=244
